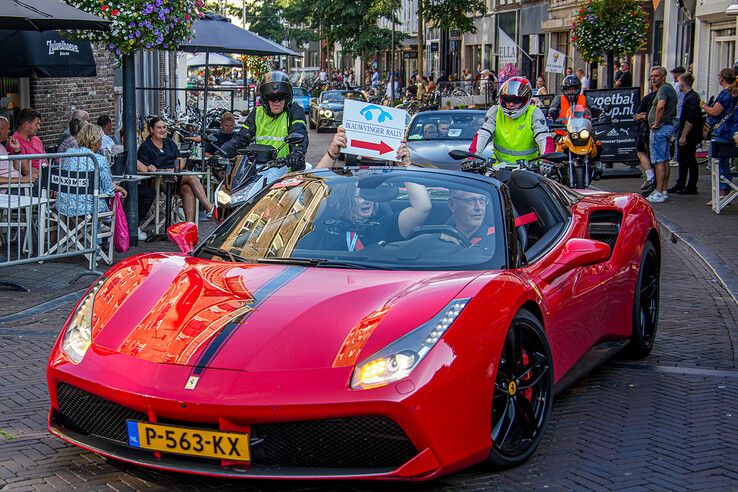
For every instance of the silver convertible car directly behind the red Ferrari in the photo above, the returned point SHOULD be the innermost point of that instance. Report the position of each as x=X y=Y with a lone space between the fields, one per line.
x=432 y=134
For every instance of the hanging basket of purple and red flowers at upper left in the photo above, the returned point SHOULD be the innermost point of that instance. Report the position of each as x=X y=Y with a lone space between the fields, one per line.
x=138 y=25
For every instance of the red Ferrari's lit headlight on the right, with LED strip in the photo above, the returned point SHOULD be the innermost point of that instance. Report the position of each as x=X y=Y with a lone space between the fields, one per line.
x=398 y=359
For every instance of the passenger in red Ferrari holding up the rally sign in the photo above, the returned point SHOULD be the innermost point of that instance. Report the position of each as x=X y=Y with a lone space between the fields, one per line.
x=354 y=223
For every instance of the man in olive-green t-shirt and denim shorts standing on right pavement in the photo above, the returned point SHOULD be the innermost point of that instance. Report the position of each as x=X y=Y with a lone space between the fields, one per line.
x=661 y=120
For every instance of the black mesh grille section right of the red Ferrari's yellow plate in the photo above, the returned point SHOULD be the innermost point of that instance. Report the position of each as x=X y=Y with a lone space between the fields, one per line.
x=367 y=441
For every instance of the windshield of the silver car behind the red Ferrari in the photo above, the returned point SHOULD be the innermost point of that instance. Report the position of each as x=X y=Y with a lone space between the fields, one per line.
x=446 y=126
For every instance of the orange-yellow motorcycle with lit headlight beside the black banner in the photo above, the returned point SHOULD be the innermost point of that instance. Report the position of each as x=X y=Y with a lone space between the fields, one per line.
x=575 y=139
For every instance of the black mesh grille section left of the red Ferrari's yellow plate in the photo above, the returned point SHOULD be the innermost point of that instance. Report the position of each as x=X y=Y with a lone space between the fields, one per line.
x=89 y=414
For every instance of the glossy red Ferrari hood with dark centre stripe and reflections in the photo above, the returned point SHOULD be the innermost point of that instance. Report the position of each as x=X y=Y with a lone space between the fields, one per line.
x=187 y=311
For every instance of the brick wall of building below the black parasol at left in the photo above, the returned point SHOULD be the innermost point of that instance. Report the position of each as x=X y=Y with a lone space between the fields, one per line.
x=56 y=97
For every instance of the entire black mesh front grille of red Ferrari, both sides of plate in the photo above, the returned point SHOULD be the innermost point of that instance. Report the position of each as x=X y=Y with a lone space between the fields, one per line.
x=371 y=441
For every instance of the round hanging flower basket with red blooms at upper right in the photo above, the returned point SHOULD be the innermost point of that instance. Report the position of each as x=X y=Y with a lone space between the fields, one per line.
x=619 y=27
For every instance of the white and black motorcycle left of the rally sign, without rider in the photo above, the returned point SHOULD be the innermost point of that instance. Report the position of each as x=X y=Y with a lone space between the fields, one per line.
x=254 y=168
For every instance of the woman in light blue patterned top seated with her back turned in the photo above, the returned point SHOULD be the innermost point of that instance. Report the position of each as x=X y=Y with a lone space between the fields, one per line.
x=72 y=205
